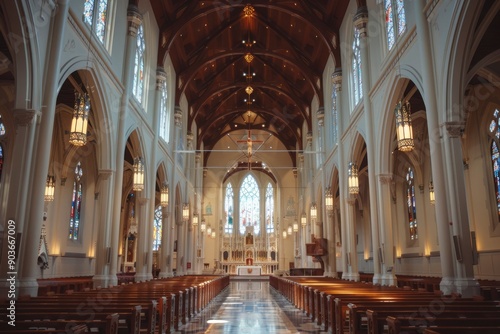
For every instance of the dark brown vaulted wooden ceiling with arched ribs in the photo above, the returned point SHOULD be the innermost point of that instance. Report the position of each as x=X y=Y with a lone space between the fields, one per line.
x=249 y=65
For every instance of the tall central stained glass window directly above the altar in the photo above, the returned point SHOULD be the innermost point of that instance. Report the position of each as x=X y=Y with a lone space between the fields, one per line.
x=249 y=205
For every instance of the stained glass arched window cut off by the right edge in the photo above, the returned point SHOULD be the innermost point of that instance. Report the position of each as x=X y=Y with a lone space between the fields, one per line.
x=494 y=132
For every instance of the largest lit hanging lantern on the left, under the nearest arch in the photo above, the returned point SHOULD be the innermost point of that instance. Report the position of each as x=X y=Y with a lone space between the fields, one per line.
x=79 y=123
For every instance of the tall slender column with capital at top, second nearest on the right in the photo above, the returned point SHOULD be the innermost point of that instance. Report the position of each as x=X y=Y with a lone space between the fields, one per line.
x=361 y=21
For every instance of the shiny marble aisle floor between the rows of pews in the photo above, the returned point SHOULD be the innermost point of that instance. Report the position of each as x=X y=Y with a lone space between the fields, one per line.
x=250 y=307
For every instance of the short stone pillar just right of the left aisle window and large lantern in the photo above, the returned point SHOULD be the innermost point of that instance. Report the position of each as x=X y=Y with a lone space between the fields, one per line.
x=103 y=246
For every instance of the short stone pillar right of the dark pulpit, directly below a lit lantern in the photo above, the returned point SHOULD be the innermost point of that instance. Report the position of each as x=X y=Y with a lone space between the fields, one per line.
x=351 y=256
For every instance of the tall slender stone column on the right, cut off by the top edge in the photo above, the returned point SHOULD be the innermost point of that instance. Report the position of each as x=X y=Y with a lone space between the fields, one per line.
x=436 y=154
